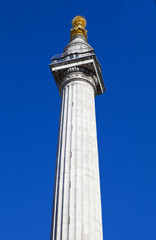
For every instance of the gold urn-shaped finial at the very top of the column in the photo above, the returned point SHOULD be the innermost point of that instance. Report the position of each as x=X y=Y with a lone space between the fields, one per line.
x=79 y=24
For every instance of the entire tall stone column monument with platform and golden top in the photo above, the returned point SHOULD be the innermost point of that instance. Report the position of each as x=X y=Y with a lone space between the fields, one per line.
x=77 y=199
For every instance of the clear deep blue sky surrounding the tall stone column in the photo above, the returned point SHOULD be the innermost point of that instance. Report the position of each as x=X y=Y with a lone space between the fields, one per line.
x=123 y=34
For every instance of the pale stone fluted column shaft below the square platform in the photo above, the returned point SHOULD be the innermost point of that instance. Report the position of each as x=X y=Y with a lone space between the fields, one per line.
x=77 y=200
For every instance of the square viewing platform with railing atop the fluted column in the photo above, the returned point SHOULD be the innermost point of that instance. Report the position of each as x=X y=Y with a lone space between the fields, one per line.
x=86 y=60
